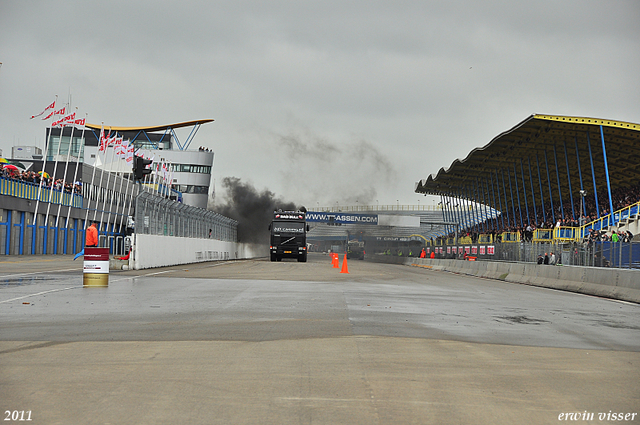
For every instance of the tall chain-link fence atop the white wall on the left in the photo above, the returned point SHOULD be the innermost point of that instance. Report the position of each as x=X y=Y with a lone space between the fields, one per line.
x=155 y=215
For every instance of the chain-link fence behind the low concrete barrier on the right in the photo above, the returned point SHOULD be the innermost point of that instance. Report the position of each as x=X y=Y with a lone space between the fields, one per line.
x=595 y=254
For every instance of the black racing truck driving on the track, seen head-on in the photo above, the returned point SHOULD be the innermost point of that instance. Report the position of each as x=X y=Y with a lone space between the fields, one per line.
x=288 y=235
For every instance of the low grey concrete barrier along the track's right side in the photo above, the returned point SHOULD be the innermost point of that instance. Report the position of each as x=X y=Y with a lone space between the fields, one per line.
x=619 y=284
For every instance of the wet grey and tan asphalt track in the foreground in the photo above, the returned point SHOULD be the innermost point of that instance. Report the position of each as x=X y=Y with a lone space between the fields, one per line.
x=348 y=340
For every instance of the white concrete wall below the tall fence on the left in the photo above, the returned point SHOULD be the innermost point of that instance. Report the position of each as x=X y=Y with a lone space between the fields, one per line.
x=160 y=251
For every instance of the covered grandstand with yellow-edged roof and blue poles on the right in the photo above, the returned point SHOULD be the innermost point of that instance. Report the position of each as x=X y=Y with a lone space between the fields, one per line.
x=564 y=179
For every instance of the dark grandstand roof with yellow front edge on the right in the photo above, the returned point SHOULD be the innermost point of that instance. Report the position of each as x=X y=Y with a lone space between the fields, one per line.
x=528 y=142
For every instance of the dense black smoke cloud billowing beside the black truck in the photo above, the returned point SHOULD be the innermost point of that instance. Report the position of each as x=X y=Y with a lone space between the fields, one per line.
x=253 y=210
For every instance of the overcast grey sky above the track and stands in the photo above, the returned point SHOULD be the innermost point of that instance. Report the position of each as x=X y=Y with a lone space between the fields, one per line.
x=357 y=99
